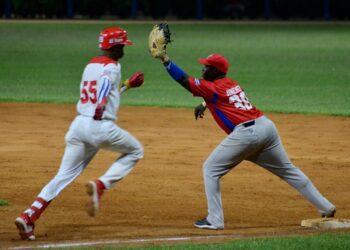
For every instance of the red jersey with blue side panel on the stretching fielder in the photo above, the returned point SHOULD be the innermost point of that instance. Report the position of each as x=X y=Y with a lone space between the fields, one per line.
x=226 y=101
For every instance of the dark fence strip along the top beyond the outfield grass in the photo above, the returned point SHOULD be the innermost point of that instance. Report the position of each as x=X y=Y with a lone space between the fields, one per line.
x=178 y=9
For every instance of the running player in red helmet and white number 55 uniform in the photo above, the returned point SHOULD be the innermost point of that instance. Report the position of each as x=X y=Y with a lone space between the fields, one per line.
x=93 y=129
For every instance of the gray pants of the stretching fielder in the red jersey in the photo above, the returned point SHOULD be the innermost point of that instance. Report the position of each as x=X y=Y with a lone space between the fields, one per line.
x=261 y=144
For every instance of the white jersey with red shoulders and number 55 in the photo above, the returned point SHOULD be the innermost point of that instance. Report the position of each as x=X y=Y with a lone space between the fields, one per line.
x=100 y=80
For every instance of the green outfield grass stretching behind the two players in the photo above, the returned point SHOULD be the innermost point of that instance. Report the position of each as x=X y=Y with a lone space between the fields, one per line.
x=301 y=68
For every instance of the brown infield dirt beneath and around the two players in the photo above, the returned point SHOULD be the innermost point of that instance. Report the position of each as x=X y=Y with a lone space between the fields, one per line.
x=164 y=194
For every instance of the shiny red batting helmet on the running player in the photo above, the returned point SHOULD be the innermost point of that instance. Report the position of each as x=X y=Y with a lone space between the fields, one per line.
x=113 y=36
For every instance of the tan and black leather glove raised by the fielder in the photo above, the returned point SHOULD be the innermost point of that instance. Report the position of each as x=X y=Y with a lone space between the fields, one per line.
x=159 y=38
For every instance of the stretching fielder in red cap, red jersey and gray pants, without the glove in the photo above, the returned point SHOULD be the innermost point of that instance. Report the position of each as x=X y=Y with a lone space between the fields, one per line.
x=251 y=136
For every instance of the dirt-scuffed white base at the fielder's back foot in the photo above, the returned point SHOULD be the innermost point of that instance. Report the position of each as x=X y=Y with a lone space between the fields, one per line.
x=326 y=223
